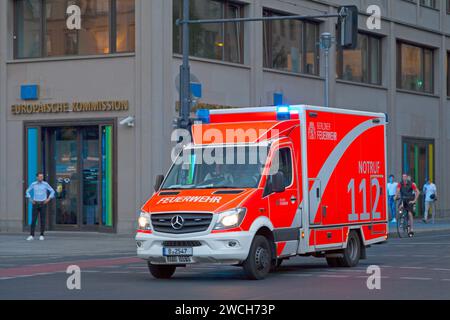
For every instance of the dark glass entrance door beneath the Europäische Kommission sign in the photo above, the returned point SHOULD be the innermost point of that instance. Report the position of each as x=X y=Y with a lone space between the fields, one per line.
x=79 y=164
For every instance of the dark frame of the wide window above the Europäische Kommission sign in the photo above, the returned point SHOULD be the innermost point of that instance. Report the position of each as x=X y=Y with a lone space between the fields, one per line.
x=112 y=37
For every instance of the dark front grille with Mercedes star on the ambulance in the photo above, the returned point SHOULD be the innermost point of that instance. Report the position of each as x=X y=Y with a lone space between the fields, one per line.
x=191 y=222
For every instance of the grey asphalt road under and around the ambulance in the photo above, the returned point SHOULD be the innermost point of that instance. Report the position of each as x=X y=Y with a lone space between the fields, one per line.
x=416 y=268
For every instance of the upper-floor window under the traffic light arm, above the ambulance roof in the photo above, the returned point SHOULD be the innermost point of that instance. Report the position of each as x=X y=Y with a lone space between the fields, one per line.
x=291 y=45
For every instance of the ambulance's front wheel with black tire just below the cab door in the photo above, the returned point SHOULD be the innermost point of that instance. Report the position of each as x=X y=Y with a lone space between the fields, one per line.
x=259 y=262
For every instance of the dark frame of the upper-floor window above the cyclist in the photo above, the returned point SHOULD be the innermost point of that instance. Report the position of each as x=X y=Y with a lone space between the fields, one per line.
x=422 y=48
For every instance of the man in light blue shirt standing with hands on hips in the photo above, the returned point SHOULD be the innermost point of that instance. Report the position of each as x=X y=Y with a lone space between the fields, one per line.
x=40 y=199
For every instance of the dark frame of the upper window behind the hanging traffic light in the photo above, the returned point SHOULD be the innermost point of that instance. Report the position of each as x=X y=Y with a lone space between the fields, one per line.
x=340 y=60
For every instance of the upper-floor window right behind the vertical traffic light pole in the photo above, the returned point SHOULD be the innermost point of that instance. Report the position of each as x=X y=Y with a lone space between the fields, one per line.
x=224 y=42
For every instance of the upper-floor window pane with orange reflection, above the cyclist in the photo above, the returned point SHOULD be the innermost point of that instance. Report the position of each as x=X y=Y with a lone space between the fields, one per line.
x=416 y=68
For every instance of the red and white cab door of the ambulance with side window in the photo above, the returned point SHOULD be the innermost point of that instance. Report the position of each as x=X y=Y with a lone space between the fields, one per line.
x=284 y=206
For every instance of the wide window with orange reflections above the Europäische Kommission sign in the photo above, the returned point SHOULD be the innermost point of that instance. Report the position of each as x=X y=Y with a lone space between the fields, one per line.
x=107 y=26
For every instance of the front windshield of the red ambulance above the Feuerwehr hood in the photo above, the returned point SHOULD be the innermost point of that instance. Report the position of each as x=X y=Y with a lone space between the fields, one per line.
x=217 y=168
